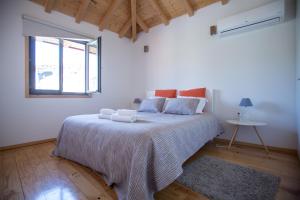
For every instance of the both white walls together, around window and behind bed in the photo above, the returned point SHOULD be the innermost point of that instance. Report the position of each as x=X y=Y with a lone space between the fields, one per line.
x=258 y=64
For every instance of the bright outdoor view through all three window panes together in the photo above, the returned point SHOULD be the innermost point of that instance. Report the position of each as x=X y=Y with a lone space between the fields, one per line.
x=74 y=77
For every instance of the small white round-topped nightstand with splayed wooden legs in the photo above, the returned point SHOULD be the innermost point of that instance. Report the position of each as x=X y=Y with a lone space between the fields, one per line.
x=238 y=124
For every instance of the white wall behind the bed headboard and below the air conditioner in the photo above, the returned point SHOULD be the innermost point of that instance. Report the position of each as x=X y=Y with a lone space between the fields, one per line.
x=259 y=64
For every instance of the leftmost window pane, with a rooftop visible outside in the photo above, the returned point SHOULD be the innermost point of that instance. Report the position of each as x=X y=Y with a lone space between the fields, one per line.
x=46 y=63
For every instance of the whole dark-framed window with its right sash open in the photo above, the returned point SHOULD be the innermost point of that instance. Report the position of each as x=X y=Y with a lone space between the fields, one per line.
x=60 y=66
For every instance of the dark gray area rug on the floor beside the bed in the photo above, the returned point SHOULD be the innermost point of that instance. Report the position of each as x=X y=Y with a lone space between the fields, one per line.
x=221 y=180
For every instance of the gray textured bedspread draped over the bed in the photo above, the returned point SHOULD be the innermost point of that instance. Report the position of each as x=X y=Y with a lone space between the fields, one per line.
x=138 y=158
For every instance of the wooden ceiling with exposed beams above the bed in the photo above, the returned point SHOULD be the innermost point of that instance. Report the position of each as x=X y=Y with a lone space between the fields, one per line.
x=126 y=17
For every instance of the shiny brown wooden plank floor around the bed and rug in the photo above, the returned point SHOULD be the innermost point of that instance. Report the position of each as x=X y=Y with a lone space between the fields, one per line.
x=32 y=173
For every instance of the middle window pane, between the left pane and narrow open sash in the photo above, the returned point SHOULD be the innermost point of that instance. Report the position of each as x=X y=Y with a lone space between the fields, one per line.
x=73 y=67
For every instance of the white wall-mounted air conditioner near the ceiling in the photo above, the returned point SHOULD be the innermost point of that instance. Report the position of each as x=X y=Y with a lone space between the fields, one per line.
x=272 y=13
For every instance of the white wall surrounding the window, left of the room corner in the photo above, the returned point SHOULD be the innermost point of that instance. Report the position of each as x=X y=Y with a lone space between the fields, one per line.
x=23 y=120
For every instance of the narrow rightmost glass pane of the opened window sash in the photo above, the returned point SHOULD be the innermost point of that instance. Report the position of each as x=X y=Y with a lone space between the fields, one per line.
x=93 y=69
